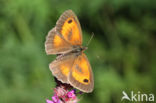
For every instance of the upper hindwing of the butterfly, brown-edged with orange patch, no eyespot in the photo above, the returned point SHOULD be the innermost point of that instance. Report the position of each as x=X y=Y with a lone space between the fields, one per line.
x=55 y=43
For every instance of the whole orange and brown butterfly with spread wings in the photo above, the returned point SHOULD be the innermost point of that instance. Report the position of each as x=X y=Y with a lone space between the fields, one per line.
x=71 y=65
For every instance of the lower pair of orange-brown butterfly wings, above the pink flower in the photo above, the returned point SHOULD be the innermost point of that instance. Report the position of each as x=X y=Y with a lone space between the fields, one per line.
x=74 y=69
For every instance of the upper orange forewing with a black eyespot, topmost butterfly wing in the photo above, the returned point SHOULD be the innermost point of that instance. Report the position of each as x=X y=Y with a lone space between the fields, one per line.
x=69 y=27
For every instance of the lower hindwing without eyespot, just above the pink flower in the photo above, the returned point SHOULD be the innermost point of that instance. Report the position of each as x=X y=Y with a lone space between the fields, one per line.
x=60 y=68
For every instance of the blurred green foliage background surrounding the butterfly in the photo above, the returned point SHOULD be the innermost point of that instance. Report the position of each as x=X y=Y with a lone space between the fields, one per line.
x=122 y=52
